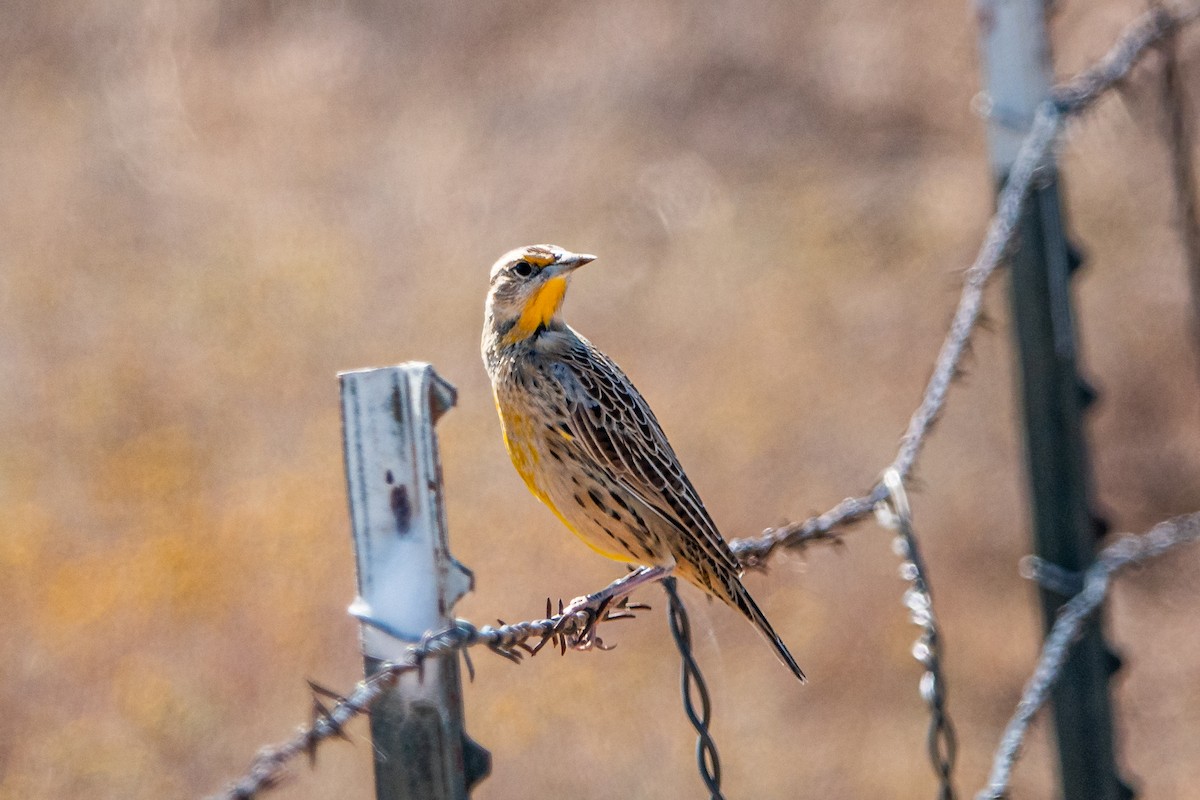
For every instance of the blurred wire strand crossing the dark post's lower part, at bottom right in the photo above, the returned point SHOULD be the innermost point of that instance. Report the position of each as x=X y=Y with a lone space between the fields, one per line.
x=1126 y=551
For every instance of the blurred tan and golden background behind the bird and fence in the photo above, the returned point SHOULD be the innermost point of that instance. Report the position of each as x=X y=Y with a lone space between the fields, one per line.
x=212 y=208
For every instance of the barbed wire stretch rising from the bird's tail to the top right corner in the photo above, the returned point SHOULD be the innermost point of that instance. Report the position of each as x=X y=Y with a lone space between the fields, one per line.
x=1070 y=100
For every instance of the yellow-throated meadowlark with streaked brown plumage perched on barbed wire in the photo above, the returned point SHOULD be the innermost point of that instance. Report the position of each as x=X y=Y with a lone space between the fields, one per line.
x=587 y=444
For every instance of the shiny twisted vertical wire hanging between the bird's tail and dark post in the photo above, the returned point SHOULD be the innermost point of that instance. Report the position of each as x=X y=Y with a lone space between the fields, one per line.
x=896 y=514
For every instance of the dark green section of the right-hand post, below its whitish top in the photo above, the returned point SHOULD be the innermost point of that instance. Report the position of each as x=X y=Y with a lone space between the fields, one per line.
x=1065 y=530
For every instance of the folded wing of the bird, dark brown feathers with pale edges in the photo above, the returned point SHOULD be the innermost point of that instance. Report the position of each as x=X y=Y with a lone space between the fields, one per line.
x=614 y=425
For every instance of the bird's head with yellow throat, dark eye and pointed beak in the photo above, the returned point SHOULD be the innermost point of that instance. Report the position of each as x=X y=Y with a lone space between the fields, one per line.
x=527 y=291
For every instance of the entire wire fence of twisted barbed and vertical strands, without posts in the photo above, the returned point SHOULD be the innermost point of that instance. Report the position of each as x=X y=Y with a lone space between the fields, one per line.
x=578 y=629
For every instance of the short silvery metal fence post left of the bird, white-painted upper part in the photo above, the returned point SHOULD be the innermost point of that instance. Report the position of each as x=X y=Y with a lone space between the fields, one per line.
x=407 y=580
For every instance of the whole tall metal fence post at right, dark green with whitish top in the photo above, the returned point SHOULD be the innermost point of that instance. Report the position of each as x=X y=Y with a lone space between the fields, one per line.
x=1017 y=64
